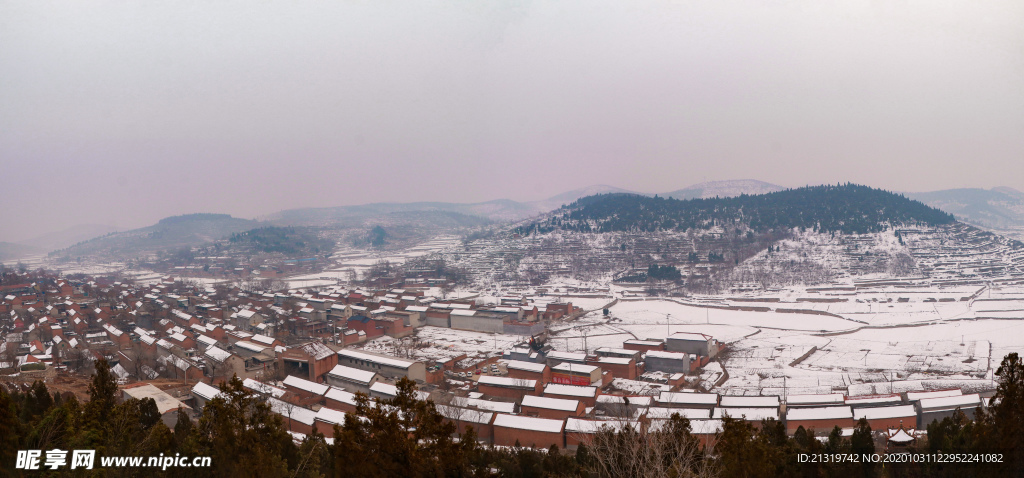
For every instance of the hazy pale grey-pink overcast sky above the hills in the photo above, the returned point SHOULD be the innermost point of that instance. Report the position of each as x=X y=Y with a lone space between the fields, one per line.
x=124 y=113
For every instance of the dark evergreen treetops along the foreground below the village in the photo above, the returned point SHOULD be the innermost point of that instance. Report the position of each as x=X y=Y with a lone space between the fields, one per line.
x=407 y=438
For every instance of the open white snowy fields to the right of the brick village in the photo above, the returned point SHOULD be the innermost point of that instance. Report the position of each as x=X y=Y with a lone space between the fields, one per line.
x=925 y=338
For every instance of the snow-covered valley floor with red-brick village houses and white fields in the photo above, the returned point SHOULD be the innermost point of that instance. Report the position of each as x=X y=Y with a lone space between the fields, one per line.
x=547 y=368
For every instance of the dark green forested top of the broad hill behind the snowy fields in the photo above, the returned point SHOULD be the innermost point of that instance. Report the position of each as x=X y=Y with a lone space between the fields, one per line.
x=846 y=208
